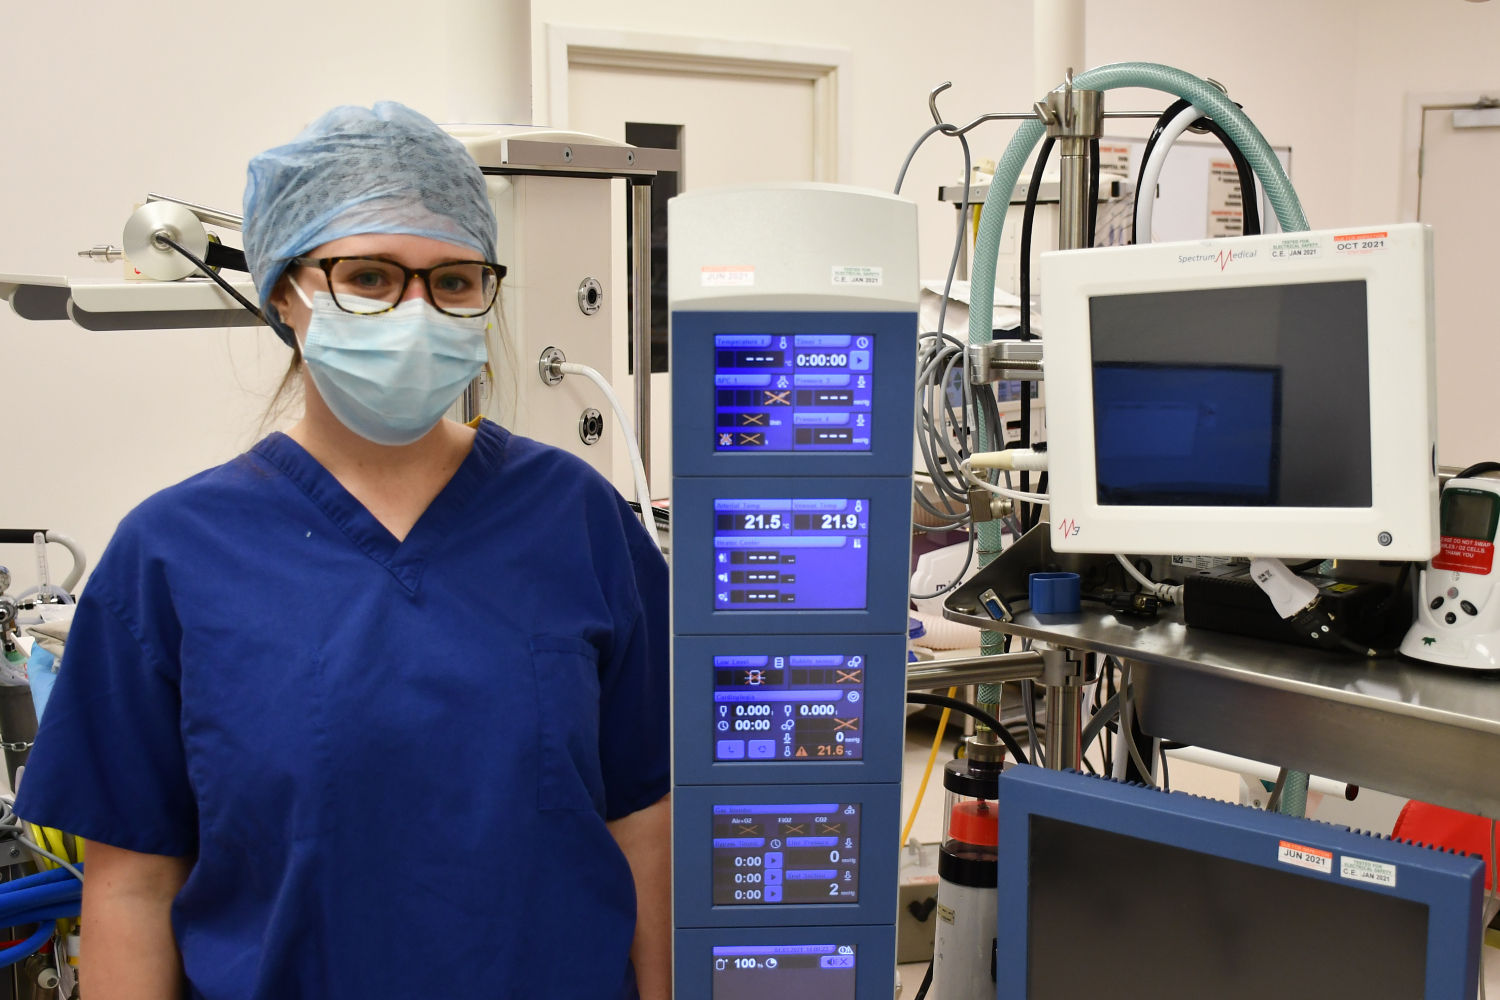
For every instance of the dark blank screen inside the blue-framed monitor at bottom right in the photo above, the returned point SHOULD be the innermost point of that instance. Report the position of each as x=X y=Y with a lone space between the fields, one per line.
x=1102 y=905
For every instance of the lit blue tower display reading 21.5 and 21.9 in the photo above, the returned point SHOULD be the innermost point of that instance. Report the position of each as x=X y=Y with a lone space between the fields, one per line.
x=791 y=554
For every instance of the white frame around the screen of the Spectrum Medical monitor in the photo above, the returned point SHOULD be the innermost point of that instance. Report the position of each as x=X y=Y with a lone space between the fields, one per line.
x=1397 y=269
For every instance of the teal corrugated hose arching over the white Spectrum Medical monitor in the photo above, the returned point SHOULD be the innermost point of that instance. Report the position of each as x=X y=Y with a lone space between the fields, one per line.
x=992 y=221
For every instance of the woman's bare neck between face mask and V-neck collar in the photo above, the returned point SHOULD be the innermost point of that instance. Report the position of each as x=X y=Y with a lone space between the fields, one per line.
x=395 y=484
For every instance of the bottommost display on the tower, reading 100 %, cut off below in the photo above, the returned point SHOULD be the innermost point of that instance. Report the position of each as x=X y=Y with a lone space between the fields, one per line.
x=785 y=972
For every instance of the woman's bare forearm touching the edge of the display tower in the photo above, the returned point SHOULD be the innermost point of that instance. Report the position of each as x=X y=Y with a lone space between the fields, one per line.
x=646 y=839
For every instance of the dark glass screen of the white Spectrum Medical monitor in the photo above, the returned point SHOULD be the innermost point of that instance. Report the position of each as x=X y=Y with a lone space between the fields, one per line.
x=1234 y=397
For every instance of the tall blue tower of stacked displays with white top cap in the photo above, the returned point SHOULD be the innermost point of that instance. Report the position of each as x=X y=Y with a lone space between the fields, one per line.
x=794 y=343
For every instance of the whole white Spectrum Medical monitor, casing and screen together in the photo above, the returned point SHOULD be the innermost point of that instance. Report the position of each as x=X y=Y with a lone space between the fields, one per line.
x=1265 y=397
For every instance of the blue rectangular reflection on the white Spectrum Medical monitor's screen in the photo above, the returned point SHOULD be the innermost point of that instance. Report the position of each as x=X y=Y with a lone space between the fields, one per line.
x=1187 y=436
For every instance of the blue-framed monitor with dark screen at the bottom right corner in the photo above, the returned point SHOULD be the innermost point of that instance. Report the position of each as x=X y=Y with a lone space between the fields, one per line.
x=1099 y=876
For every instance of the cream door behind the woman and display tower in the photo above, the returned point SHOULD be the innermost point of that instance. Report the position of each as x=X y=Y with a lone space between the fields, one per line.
x=734 y=130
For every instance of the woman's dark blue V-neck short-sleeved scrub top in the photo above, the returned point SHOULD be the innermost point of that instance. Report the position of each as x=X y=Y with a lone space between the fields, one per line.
x=394 y=761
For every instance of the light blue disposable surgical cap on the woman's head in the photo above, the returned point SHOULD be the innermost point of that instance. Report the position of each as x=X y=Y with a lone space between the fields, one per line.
x=362 y=170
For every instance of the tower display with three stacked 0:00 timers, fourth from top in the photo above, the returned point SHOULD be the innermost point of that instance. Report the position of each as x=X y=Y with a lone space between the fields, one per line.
x=787 y=854
